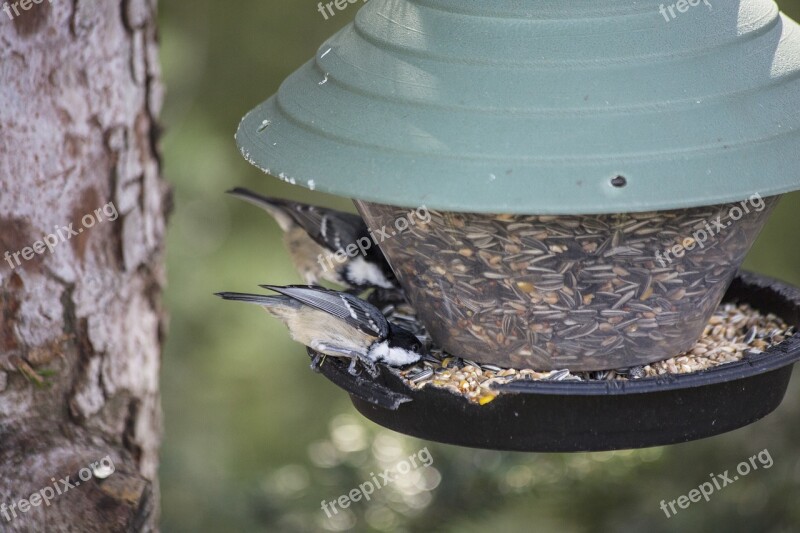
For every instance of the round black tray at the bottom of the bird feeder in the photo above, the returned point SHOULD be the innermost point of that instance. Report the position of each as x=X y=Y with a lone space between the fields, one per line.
x=570 y=416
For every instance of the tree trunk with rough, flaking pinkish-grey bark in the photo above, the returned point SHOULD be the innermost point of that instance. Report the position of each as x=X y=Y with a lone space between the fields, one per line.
x=81 y=321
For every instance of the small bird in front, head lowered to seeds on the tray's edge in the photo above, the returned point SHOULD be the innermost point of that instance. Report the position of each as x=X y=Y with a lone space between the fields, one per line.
x=337 y=324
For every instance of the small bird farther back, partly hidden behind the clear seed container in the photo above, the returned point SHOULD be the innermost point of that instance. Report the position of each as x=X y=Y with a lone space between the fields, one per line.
x=317 y=239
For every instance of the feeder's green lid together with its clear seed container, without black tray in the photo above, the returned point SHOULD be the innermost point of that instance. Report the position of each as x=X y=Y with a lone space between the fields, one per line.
x=595 y=173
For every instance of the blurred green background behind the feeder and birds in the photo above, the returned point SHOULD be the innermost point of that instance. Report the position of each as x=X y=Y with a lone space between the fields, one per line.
x=254 y=440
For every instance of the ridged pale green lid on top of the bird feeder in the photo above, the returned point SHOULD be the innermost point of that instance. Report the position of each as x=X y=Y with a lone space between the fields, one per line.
x=533 y=106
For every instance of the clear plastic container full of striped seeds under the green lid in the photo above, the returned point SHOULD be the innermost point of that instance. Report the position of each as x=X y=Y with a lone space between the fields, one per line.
x=584 y=292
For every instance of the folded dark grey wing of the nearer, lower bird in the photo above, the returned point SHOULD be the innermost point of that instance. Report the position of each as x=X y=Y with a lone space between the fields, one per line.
x=354 y=311
